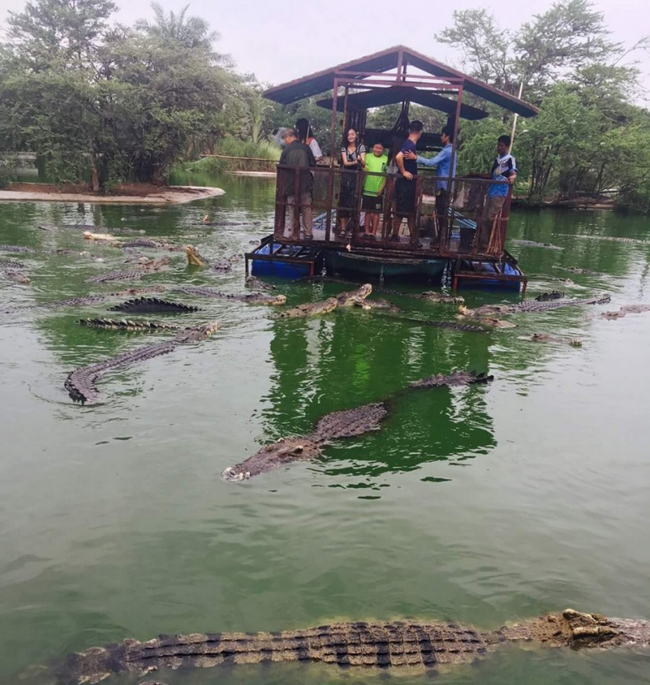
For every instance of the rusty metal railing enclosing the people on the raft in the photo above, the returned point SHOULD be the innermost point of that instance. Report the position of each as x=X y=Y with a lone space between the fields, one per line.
x=435 y=217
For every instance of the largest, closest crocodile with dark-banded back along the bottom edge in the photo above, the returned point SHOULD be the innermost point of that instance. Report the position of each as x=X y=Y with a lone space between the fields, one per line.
x=379 y=645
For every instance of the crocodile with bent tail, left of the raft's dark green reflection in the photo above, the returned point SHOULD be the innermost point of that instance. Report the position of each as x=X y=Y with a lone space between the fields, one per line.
x=80 y=384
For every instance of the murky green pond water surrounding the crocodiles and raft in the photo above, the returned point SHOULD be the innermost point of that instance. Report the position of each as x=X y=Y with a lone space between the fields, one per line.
x=479 y=505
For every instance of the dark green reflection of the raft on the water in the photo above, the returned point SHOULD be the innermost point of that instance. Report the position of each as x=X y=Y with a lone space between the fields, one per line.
x=355 y=357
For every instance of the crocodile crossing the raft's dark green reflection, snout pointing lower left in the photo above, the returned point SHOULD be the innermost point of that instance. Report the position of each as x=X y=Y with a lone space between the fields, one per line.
x=335 y=426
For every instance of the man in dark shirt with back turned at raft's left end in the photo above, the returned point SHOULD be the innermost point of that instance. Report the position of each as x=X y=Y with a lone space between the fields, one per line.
x=296 y=185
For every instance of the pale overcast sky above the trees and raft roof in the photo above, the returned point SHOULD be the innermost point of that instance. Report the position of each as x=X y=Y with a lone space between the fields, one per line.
x=280 y=41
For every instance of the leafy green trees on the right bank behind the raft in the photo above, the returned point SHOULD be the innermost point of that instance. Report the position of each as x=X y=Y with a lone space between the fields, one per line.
x=588 y=138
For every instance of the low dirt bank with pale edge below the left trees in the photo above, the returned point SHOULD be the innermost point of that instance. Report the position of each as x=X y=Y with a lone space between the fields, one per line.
x=127 y=194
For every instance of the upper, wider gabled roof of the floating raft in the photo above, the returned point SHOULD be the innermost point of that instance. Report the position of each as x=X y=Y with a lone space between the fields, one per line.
x=387 y=60
